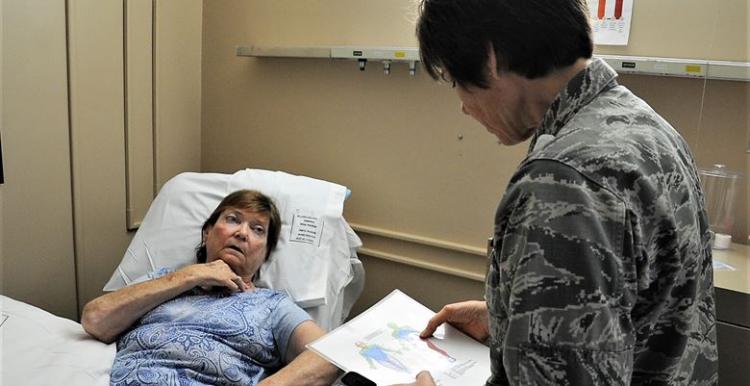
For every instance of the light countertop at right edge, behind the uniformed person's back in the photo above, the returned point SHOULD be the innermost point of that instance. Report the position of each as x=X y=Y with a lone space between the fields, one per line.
x=738 y=257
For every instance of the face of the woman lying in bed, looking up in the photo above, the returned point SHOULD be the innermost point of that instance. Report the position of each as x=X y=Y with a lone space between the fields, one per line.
x=239 y=239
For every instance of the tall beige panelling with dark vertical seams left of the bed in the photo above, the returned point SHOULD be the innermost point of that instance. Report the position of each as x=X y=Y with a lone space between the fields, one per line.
x=75 y=75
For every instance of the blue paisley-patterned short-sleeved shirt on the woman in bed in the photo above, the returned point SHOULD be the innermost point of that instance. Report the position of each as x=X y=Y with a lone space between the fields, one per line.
x=208 y=338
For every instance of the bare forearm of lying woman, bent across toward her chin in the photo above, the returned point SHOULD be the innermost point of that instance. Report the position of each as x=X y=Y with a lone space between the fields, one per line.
x=109 y=315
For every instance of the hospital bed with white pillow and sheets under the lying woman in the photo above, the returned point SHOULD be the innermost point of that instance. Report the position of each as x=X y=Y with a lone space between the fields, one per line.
x=315 y=262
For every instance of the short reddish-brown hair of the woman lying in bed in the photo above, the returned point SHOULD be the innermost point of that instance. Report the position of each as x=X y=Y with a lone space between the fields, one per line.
x=253 y=201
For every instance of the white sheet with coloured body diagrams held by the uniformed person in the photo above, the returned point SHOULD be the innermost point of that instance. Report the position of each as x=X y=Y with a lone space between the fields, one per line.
x=383 y=344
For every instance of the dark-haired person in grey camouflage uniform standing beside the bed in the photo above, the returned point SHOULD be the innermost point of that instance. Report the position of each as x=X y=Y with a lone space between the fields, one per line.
x=600 y=269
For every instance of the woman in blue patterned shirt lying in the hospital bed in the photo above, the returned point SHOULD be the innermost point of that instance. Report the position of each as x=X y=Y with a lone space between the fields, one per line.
x=207 y=323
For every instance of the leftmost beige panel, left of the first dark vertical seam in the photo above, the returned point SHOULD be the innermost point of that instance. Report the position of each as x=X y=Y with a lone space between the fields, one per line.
x=37 y=234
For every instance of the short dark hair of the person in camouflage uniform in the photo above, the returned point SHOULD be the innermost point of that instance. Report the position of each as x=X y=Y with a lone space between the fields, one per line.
x=531 y=38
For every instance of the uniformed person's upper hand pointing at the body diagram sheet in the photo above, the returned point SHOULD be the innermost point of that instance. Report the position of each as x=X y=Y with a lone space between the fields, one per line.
x=471 y=317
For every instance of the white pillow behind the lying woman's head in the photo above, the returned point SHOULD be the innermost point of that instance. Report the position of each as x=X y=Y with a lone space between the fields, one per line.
x=313 y=249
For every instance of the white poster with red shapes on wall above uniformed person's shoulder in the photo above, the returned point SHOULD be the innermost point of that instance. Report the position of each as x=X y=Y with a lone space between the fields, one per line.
x=610 y=21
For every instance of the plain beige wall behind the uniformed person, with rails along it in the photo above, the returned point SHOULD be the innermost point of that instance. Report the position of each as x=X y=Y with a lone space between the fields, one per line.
x=425 y=178
